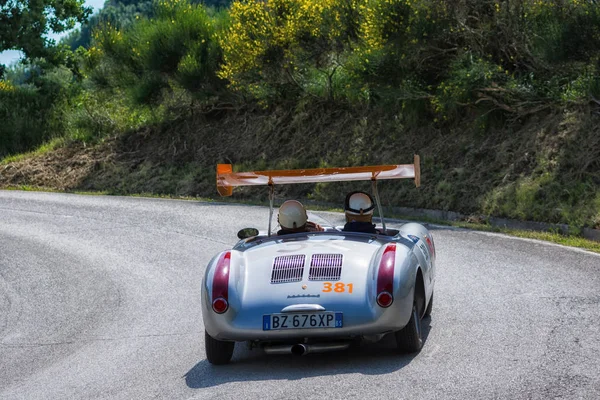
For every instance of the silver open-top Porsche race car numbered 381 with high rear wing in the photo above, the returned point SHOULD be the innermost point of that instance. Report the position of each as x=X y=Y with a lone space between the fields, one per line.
x=318 y=291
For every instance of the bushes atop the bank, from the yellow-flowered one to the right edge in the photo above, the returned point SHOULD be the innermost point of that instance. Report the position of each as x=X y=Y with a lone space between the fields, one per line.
x=508 y=56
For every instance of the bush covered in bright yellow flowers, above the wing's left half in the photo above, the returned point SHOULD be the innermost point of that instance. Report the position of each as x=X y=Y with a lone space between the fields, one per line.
x=275 y=45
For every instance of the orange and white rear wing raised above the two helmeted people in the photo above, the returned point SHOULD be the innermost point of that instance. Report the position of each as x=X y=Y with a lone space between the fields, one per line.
x=227 y=179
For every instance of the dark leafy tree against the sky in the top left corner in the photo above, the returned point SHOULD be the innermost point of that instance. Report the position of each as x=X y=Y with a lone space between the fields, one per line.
x=24 y=24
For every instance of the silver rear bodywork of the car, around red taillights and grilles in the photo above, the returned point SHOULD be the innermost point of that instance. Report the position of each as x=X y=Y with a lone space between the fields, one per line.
x=252 y=294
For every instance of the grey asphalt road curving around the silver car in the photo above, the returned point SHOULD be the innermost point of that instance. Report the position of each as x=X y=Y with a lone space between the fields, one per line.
x=99 y=298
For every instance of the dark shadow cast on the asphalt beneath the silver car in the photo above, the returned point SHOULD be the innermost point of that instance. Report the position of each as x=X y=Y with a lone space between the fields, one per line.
x=255 y=365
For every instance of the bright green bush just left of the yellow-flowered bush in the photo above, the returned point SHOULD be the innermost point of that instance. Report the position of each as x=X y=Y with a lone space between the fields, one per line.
x=175 y=49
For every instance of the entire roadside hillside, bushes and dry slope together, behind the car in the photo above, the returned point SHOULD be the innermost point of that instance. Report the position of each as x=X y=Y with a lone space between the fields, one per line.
x=497 y=97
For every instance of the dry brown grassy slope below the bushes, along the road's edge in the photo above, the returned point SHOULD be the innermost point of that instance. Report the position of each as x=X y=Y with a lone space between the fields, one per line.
x=536 y=171
